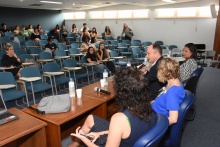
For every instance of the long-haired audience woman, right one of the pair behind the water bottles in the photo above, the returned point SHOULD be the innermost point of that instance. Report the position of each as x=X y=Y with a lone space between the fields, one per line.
x=103 y=54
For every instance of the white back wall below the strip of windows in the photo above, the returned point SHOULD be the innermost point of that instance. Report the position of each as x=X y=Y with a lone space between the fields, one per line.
x=170 y=31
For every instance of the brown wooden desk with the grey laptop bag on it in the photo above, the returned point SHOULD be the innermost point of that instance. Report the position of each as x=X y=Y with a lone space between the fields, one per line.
x=62 y=124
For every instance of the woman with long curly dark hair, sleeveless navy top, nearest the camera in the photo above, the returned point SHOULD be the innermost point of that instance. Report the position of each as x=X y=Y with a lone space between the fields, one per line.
x=134 y=117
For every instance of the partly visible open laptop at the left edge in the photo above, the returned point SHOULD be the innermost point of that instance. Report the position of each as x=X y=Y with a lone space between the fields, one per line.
x=5 y=116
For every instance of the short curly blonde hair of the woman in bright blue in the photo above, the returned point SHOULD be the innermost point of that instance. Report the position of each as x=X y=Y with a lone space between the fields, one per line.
x=168 y=69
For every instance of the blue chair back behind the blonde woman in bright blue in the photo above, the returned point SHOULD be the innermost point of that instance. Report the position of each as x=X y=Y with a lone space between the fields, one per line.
x=173 y=136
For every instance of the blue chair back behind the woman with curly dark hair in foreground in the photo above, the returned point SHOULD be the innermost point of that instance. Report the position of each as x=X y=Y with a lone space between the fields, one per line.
x=154 y=135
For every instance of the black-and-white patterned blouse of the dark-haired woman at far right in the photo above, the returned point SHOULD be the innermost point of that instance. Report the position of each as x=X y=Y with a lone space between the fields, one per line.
x=187 y=68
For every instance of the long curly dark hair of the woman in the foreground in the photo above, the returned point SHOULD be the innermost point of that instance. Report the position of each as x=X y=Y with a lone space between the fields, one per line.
x=132 y=93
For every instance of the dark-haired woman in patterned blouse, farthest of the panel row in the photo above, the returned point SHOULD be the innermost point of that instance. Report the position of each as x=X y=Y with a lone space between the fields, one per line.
x=189 y=65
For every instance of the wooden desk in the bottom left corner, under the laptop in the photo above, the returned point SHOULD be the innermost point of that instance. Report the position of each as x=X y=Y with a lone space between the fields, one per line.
x=26 y=131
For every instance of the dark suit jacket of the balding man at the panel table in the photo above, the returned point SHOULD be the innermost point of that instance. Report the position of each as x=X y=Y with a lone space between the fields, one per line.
x=154 y=83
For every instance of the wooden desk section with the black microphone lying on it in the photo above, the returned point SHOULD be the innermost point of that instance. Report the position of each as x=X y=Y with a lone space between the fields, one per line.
x=108 y=99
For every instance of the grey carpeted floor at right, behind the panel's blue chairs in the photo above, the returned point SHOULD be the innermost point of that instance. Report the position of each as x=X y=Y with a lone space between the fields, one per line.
x=204 y=130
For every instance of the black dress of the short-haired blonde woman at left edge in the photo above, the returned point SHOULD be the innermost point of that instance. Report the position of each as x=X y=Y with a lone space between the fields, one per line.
x=8 y=61
